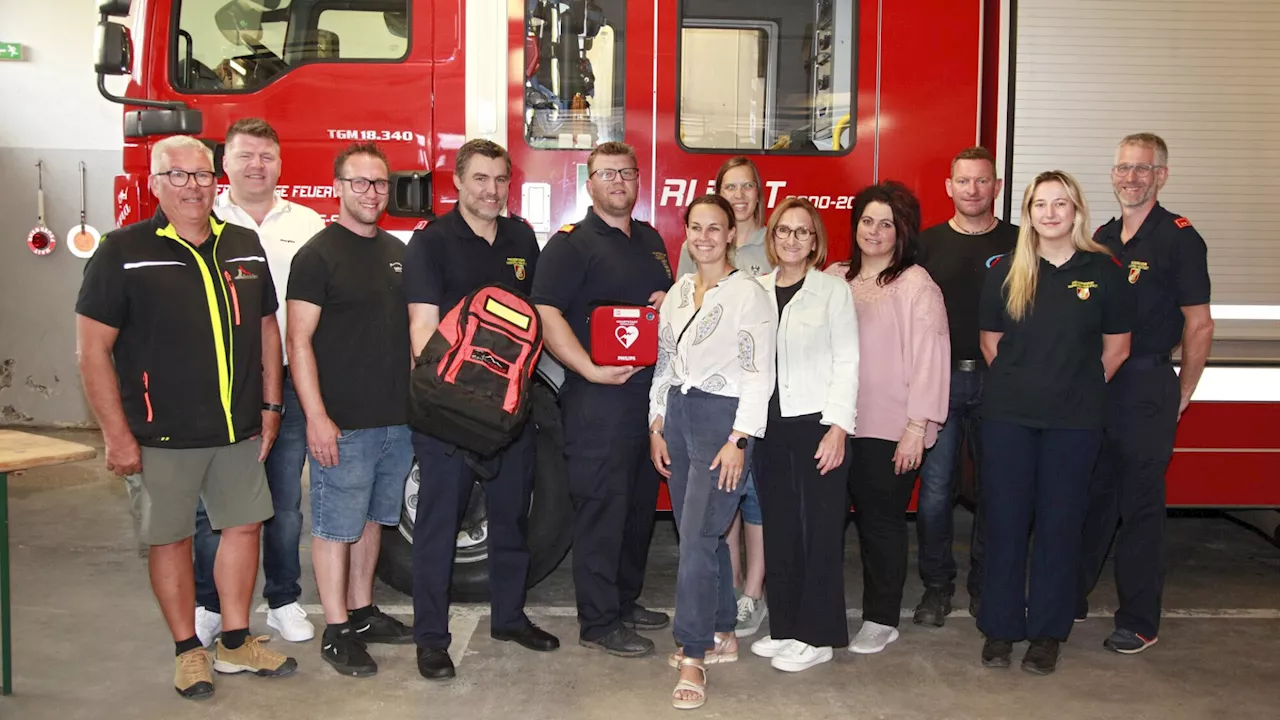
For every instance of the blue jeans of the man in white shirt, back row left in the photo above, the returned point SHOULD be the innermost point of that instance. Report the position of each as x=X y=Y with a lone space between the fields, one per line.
x=281 y=535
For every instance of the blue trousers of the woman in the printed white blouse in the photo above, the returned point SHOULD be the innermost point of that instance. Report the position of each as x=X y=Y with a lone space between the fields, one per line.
x=697 y=427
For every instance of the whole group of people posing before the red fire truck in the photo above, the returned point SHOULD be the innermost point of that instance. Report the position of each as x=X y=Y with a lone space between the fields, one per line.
x=234 y=339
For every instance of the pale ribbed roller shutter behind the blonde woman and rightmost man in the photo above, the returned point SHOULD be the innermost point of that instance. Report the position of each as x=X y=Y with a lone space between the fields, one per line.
x=1204 y=76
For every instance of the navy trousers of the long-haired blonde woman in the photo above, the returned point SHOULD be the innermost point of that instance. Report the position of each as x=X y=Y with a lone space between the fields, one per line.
x=1034 y=477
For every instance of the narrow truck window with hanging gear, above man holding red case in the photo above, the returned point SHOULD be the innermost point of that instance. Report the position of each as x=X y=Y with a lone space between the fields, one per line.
x=574 y=72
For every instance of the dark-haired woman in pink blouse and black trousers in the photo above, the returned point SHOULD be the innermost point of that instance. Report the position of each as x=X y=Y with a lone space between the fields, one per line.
x=903 y=384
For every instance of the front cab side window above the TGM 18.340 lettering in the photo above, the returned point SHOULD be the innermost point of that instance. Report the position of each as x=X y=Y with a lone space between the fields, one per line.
x=243 y=45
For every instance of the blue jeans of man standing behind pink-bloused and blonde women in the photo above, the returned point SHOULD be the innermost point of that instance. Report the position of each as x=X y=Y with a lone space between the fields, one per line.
x=935 y=526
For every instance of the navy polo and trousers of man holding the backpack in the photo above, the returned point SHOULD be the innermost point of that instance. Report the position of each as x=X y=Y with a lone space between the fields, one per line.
x=445 y=263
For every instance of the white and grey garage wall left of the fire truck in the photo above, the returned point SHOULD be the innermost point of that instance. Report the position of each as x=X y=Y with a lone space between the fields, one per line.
x=53 y=115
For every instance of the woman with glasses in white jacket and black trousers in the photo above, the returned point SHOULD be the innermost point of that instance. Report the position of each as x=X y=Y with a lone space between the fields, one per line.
x=802 y=468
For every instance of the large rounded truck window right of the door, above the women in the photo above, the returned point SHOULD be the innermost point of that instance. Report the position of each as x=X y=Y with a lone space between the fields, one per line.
x=755 y=80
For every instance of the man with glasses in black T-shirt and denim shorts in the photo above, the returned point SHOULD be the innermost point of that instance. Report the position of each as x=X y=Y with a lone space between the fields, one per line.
x=350 y=354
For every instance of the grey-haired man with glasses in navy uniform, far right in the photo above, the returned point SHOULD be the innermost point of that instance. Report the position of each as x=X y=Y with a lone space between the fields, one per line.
x=1167 y=263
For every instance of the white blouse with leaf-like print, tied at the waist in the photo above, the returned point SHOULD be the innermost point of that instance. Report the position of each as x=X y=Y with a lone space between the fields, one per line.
x=725 y=348
